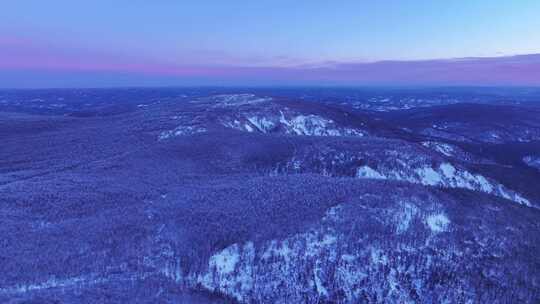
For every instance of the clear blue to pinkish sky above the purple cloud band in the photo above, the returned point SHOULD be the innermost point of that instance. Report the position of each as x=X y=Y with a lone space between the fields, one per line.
x=152 y=36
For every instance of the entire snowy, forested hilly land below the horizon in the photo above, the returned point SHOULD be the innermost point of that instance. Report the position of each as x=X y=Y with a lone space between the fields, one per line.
x=268 y=196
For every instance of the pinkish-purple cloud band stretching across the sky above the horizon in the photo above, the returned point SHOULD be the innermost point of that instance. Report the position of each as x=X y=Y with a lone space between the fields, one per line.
x=21 y=54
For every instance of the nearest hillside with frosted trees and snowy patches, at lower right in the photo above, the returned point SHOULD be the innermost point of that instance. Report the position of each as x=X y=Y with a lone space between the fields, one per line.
x=335 y=263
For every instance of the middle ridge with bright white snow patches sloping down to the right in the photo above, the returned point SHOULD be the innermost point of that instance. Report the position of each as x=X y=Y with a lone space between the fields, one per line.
x=410 y=164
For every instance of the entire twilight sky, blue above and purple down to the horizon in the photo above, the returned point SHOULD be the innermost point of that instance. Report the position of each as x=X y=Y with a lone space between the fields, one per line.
x=66 y=43
